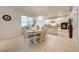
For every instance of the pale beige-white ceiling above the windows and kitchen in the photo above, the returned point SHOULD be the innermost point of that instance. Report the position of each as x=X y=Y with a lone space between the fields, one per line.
x=49 y=11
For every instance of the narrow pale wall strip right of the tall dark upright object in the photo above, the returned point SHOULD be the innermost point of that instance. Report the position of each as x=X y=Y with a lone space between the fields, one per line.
x=74 y=16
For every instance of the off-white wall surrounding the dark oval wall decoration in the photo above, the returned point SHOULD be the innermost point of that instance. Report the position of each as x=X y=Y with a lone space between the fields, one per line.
x=12 y=27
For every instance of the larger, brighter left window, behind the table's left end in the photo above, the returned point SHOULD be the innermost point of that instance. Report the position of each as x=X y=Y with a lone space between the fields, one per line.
x=26 y=21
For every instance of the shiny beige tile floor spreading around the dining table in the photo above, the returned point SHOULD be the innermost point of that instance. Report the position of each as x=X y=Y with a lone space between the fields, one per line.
x=52 y=43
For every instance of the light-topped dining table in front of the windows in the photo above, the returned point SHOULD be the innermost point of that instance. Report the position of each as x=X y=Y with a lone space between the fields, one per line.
x=35 y=34
